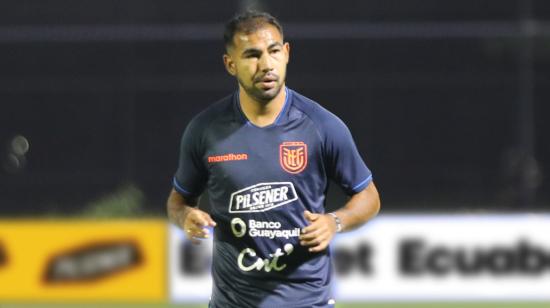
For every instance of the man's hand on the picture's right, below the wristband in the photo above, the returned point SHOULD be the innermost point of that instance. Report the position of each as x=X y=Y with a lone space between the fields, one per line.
x=318 y=234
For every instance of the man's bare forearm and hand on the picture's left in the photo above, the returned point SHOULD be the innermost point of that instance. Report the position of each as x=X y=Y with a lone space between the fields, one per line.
x=183 y=212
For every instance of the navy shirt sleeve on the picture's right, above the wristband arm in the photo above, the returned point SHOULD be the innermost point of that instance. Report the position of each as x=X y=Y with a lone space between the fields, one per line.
x=342 y=159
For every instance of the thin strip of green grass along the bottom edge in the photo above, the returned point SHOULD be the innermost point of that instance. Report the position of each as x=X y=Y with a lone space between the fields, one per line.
x=343 y=305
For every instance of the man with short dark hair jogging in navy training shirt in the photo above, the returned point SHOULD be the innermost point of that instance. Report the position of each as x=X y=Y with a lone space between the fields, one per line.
x=266 y=154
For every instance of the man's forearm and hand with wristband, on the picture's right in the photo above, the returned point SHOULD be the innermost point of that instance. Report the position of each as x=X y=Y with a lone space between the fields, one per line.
x=359 y=209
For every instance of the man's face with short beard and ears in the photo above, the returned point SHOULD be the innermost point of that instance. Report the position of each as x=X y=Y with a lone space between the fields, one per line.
x=258 y=61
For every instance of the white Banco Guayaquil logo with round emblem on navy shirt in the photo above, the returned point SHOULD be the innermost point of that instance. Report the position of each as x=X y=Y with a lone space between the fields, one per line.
x=266 y=229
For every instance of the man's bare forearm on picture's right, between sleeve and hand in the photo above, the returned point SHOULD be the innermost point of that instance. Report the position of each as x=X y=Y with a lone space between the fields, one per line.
x=360 y=208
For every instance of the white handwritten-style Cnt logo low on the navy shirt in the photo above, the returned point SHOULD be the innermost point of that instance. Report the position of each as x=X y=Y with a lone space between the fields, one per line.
x=268 y=264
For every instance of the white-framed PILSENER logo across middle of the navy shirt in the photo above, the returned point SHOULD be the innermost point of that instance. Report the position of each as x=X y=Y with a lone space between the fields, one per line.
x=262 y=197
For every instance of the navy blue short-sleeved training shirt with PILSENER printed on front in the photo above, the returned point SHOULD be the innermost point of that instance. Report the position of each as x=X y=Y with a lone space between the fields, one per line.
x=260 y=180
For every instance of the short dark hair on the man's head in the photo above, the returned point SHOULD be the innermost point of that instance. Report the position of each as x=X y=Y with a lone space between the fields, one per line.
x=248 y=22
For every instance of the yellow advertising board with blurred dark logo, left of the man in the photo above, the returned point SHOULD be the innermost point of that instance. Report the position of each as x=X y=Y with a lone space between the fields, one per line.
x=83 y=260
